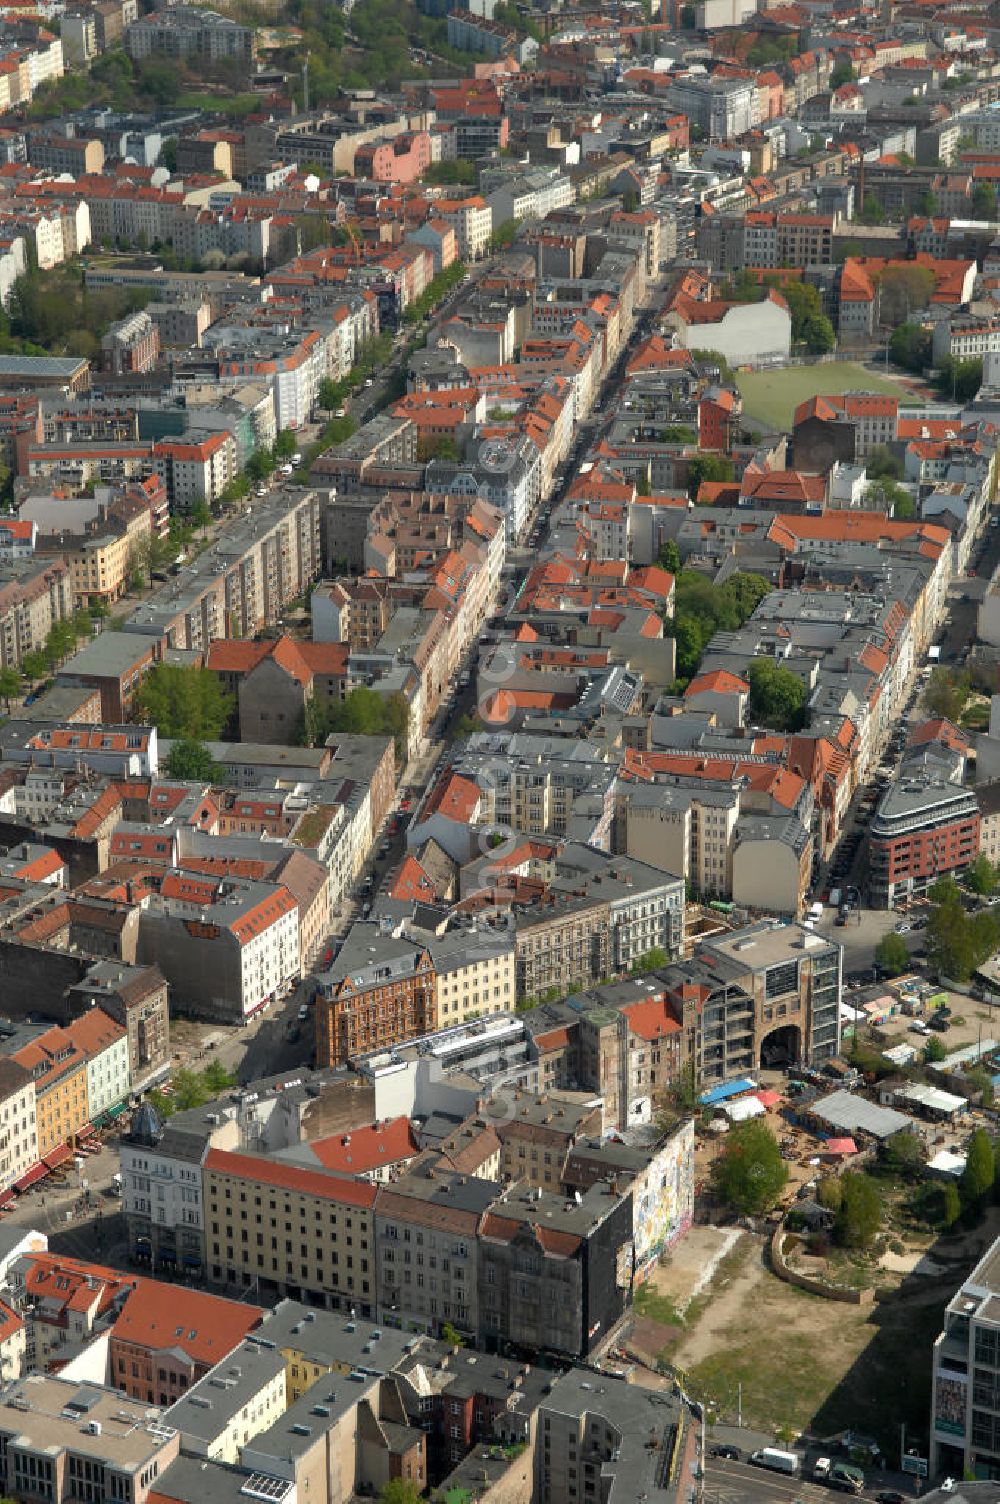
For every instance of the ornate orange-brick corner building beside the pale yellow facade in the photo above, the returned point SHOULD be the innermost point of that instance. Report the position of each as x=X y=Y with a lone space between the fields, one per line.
x=380 y=992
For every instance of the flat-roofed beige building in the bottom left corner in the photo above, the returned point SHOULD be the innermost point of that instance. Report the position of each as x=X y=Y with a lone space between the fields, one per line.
x=65 y=1442
